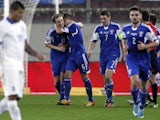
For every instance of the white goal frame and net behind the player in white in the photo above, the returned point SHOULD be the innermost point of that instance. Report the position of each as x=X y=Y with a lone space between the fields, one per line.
x=30 y=6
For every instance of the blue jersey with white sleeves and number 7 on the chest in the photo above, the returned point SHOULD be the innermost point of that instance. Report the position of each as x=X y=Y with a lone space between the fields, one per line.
x=109 y=44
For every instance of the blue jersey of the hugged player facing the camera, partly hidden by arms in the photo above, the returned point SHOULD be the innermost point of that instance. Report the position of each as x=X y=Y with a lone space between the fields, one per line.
x=55 y=39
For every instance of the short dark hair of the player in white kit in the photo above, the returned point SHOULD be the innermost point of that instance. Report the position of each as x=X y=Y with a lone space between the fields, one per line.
x=16 y=5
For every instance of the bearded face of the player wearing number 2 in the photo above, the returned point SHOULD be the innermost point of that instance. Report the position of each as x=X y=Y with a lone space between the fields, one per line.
x=135 y=16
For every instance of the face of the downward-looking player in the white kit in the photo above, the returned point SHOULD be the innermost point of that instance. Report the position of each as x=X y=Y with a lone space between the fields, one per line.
x=17 y=15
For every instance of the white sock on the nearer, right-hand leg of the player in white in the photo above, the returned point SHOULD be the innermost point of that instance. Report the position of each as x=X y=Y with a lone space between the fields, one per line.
x=14 y=110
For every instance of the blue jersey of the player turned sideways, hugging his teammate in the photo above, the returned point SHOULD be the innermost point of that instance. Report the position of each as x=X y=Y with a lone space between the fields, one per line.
x=75 y=39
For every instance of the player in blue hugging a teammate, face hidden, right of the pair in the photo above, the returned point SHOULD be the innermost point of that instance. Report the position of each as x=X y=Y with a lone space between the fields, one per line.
x=77 y=59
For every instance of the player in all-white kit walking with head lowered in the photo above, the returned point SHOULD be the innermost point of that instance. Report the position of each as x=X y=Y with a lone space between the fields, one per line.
x=13 y=41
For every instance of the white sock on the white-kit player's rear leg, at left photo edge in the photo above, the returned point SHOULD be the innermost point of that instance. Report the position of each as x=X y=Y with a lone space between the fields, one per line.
x=3 y=105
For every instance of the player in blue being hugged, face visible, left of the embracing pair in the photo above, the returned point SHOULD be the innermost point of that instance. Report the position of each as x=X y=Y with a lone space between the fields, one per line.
x=58 y=55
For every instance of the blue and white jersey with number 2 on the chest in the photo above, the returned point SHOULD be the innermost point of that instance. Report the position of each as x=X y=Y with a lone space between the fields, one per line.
x=133 y=35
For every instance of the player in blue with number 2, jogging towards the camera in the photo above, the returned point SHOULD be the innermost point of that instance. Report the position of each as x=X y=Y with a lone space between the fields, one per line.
x=135 y=44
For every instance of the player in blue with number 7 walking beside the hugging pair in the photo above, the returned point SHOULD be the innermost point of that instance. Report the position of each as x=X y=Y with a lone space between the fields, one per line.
x=107 y=32
